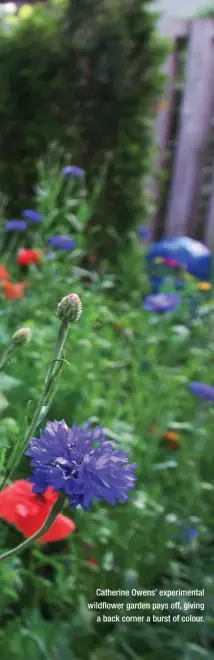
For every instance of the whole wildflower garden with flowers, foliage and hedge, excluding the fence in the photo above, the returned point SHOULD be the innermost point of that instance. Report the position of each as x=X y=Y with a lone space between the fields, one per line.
x=106 y=383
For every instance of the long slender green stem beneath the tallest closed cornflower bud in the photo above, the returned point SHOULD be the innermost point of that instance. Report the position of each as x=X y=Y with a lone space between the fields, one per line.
x=16 y=455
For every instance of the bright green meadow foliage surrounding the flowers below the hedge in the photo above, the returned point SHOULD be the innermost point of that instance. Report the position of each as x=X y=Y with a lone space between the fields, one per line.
x=137 y=387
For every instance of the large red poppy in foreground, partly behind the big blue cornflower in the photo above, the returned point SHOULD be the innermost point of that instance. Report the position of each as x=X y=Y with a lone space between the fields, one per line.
x=27 y=512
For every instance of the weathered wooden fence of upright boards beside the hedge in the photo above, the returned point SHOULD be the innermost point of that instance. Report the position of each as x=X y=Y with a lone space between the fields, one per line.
x=196 y=114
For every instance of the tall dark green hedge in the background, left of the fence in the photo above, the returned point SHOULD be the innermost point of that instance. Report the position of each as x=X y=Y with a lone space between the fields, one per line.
x=87 y=77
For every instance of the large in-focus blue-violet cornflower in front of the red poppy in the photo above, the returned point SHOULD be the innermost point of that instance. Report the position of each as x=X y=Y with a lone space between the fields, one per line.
x=81 y=463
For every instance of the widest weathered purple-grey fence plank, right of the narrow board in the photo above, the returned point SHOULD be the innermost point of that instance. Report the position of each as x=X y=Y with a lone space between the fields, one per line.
x=196 y=114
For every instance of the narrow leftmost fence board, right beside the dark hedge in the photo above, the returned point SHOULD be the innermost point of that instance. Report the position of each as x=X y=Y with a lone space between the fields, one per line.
x=171 y=28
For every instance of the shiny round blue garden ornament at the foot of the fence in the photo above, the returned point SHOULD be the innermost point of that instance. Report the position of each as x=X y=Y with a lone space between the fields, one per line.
x=191 y=254
